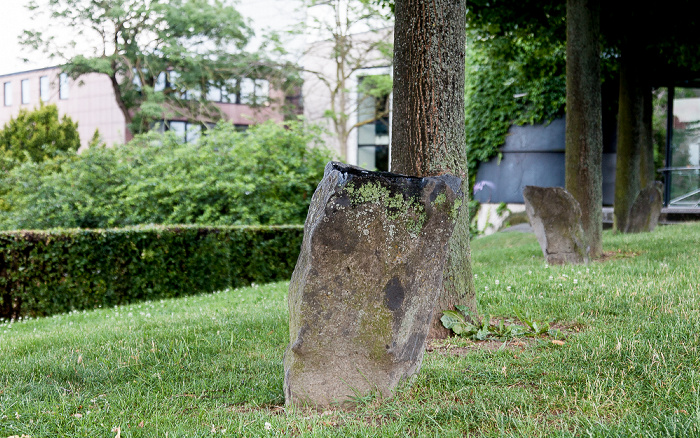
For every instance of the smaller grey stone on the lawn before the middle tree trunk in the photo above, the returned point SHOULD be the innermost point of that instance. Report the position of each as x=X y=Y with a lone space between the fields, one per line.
x=555 y=217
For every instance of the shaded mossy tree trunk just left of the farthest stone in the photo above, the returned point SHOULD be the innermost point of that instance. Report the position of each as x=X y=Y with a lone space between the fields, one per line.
x=630 y=131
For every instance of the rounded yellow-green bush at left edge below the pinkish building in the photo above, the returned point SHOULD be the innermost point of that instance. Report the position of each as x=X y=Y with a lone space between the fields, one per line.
x=36 y=135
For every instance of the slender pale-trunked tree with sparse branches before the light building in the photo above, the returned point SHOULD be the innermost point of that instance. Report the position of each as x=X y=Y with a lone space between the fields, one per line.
x=355 y=35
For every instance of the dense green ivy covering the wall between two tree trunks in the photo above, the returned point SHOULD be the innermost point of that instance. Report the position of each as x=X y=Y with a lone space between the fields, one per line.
x=509 y=81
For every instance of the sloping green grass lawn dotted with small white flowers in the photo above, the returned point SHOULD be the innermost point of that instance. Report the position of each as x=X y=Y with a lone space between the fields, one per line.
x=211 y=365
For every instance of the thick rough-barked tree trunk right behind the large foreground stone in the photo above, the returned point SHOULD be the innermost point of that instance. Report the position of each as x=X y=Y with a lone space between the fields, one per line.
x=428 y=122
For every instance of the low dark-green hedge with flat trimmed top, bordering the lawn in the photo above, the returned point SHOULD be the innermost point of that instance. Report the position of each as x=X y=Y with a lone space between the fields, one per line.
x=48 y=272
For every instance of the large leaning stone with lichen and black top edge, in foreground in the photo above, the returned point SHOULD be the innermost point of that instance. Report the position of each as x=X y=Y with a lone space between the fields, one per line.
x=362 y=294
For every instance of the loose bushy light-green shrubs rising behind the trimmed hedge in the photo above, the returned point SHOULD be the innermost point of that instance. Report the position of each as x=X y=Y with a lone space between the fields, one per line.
x=263 y=176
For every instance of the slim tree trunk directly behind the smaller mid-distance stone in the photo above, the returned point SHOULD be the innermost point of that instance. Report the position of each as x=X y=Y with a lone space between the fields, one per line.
x=584 y=132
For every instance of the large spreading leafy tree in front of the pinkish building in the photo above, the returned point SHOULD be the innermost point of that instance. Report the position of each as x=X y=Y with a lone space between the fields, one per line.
x=162 y=56
